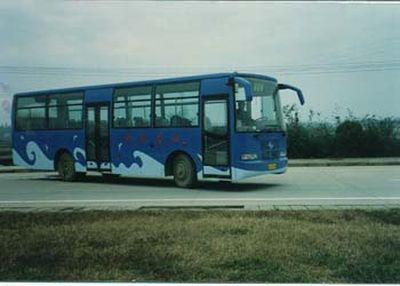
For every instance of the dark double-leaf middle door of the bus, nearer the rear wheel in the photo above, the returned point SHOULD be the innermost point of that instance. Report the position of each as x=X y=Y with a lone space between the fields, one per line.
x=98 y=136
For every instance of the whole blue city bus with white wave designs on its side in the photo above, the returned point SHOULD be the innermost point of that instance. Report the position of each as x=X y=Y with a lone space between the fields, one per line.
x=227 y=126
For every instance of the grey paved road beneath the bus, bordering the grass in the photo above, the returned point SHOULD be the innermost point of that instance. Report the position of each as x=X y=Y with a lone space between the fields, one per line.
x=300 y=187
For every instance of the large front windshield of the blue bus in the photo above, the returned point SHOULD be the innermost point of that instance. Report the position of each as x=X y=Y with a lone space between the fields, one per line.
x=263 y=113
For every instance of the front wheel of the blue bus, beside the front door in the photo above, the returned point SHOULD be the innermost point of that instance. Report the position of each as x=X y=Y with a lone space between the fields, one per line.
x=184 y=172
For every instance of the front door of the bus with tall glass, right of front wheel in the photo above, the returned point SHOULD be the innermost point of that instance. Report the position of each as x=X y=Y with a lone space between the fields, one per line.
x=216 y=147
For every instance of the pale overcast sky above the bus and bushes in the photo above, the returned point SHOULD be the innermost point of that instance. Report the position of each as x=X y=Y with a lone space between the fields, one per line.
x=343 y=55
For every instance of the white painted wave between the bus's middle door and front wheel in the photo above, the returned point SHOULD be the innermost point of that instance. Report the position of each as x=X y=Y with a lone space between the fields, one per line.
x=150 y=167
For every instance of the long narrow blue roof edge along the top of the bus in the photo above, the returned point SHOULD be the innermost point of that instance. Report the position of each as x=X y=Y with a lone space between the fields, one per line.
x=146 y=82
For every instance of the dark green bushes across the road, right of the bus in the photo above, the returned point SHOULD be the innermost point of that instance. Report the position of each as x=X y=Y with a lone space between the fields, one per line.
x=366 y=137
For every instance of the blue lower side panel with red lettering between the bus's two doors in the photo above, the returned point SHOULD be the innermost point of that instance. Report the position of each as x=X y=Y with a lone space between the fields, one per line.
x=145 y=151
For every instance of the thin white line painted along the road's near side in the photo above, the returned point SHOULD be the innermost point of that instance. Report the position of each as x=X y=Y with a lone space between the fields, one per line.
x=201 y=200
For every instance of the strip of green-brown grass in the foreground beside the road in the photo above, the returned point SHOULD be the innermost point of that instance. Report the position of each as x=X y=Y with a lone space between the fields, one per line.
x=188 y=246
